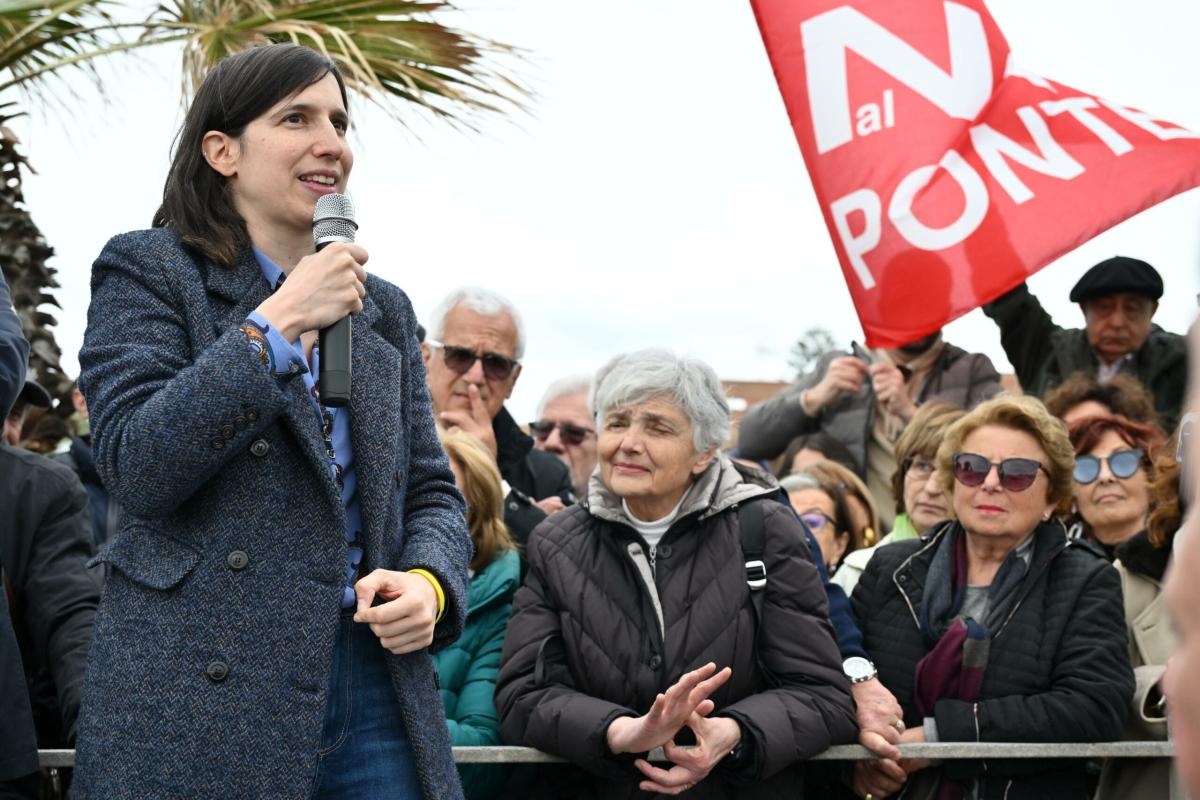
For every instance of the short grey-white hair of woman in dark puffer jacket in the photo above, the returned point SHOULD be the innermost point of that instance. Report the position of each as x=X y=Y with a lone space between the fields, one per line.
x=691 y=384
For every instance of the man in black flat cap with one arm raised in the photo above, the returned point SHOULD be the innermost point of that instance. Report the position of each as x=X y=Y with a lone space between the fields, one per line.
x=1119 y=298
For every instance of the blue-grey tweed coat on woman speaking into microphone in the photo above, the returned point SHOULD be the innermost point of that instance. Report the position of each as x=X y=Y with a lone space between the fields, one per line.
x=233 y=549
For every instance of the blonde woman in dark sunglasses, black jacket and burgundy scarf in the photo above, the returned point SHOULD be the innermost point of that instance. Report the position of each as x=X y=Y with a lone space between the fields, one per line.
x=994 y=627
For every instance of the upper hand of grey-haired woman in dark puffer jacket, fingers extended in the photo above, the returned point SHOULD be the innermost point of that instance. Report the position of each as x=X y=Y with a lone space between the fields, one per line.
x=670 y=712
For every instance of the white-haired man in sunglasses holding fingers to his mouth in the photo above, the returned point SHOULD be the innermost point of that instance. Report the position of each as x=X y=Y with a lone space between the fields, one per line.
x=473 y=359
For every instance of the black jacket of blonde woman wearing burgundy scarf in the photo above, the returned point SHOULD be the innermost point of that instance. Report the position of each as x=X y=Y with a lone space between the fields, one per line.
x=1058 y=671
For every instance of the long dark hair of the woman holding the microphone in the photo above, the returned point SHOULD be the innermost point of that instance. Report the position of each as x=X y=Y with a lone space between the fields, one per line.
x=196 y=202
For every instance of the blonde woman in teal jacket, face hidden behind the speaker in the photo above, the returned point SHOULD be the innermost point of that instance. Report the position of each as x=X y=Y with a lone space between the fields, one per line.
x=467 y=669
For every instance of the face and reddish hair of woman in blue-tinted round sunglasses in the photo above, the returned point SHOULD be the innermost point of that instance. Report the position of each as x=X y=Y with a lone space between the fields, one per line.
x=1113 y=476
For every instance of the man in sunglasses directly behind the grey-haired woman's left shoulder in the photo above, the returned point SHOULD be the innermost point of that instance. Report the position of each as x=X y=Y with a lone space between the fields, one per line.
x=566 y=429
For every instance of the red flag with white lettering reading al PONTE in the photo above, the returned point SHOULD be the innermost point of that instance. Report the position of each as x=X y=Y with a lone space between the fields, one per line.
x=946 y=176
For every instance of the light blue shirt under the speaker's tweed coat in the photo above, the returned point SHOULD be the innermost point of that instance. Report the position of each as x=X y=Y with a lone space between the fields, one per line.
x=286 y=360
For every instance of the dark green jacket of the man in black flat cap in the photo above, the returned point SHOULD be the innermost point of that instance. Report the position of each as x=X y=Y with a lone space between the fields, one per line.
x=1043 y=354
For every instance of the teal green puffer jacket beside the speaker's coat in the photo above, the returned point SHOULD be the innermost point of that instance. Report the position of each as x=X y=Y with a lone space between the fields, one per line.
x=467 y=671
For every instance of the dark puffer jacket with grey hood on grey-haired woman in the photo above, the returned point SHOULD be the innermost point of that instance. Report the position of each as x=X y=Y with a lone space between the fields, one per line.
x=587 y=645
